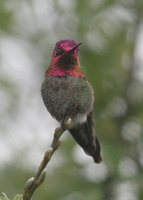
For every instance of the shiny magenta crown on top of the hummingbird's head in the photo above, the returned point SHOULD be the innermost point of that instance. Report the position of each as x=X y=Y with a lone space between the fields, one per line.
x=66 y=45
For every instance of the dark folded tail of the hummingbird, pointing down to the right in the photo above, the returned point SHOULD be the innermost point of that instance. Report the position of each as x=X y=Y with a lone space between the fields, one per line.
x=86 y=137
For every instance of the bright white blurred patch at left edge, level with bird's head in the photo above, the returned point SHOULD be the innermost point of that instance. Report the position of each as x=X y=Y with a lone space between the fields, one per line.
x=16 y=64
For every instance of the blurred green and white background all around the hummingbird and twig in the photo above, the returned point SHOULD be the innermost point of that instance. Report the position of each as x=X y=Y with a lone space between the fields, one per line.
x=110 y=32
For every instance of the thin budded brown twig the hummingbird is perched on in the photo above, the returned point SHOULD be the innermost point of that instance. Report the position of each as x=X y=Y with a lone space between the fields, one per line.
x=34 y=182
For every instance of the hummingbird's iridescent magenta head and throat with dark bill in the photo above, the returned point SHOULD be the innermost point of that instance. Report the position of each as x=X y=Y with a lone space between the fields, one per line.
x=65 y=60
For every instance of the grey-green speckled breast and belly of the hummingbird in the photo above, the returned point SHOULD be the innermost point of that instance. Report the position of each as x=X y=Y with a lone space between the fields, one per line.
x=67 y=96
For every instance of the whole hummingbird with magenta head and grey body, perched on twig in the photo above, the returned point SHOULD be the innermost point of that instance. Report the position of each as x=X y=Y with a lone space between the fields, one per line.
x=68 y=96
